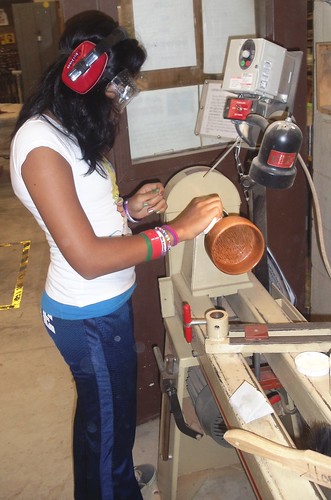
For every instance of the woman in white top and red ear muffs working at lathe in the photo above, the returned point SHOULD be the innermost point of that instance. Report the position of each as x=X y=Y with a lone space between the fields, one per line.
x=60 y=173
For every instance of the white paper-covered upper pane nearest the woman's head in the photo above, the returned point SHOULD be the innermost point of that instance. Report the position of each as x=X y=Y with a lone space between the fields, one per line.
x=166 y=29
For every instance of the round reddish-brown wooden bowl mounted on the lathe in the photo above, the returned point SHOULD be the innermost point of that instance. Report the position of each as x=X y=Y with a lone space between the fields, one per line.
x=234 y=244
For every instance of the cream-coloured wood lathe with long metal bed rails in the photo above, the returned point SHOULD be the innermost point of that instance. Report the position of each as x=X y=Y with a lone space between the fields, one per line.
x=256 y=321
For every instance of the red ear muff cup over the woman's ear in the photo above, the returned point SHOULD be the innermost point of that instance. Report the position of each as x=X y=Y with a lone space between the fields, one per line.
x=79 y=74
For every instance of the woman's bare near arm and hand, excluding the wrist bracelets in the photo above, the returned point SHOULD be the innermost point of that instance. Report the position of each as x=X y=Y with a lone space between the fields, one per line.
x=49 y=180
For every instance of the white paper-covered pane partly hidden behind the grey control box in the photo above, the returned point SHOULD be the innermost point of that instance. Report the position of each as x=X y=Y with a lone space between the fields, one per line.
x=223 y=19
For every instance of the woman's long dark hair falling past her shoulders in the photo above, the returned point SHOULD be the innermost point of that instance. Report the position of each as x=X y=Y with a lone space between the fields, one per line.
x=92 y=118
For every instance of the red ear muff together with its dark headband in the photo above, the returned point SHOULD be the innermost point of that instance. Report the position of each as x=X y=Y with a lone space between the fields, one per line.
x=86 y=64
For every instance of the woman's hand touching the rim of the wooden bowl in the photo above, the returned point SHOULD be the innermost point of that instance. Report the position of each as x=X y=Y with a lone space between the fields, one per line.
x=197 y=216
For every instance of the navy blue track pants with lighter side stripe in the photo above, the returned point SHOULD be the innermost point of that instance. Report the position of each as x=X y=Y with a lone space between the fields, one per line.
x=102 y=357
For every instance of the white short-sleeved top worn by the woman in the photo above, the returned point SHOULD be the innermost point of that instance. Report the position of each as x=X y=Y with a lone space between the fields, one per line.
x=97 y=196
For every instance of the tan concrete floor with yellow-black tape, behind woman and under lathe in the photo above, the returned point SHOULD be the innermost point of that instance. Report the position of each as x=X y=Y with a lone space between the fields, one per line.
x=37 y=394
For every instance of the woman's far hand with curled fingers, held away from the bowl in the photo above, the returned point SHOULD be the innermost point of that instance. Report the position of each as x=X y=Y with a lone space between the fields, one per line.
x=147 y=200
